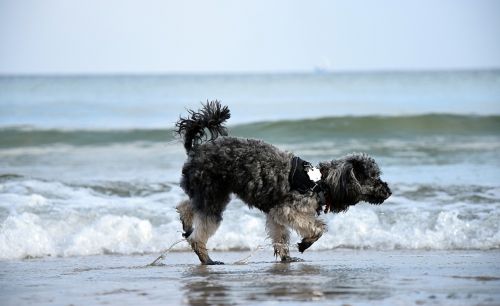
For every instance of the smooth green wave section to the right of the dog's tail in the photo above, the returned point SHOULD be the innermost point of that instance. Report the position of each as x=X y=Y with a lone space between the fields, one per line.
x=373 y=127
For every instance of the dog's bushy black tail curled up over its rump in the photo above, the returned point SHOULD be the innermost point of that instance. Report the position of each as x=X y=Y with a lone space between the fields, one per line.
x=210 y=117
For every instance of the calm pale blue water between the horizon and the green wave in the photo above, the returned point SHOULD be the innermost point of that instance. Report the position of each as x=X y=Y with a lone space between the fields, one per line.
x=157 y=101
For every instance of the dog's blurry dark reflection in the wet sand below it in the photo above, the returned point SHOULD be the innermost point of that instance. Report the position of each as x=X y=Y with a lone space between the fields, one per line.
x=205 y=285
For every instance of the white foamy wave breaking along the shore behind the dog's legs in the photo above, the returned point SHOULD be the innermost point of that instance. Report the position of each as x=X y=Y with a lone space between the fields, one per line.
x=49 y=218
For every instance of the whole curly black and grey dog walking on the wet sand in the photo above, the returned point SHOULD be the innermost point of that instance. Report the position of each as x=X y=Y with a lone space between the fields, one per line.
x=291 y=192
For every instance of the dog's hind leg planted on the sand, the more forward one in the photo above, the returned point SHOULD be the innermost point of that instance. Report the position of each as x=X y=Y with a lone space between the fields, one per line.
x=204 y=227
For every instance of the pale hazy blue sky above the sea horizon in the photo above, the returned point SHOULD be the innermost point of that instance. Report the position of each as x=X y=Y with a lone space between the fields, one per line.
x=123 y=36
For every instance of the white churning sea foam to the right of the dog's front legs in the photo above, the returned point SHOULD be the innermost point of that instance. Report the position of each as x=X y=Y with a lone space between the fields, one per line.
x=413 y=229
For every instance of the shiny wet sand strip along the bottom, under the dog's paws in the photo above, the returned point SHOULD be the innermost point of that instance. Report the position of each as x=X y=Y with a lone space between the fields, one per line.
x=338 y=277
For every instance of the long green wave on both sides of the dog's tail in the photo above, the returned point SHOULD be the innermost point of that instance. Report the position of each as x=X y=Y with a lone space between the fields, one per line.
x=306 y=130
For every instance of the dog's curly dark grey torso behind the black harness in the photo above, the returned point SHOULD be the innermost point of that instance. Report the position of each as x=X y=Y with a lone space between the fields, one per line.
x=254 y=170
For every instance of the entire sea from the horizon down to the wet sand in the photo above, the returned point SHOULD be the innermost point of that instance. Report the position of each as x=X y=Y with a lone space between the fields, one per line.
x=89 y=164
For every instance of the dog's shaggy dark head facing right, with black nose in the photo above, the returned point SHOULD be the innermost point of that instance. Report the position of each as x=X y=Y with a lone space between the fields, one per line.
x=353 y=178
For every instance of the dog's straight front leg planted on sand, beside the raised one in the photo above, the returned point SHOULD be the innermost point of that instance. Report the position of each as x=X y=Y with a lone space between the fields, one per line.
x=280 y=235
